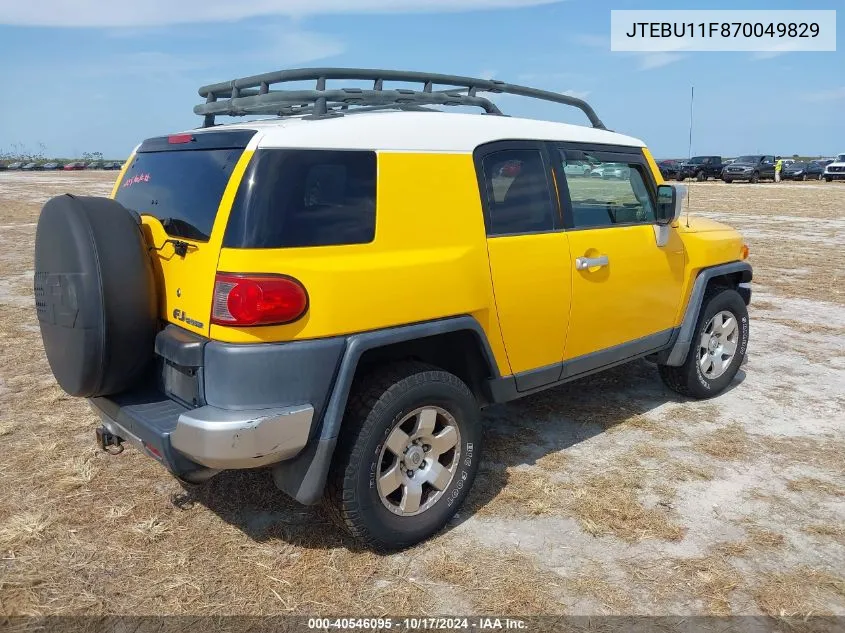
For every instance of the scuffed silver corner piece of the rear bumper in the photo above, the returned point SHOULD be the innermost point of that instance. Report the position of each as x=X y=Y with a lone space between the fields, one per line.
x=221 y=438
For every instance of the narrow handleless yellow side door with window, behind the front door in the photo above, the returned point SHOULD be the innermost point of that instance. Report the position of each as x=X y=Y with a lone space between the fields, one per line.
x=528 y=254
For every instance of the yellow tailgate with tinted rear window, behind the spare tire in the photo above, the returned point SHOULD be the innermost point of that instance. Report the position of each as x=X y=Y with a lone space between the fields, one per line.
x=182 y=185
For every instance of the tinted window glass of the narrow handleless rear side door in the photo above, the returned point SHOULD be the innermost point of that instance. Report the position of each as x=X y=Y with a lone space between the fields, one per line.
x=518 y=197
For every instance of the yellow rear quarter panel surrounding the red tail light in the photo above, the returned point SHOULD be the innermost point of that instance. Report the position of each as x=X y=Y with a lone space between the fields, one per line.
x=428 y=260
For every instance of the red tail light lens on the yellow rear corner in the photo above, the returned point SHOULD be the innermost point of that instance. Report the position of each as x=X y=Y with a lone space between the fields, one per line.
x=244 y=300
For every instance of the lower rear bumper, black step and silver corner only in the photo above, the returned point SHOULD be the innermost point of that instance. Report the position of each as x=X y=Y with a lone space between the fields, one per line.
x=189 y=440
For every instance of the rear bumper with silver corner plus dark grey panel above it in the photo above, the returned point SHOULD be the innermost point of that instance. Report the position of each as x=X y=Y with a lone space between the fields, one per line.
x=219 y=406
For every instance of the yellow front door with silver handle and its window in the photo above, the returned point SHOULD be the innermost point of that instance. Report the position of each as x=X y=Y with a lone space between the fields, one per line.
x=626 y=289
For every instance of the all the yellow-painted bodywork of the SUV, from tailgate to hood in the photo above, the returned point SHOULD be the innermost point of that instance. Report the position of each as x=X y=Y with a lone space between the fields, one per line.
x=431 y=259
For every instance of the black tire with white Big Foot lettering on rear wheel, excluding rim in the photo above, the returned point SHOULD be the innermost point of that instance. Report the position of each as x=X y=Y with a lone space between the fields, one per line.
x=379 y=401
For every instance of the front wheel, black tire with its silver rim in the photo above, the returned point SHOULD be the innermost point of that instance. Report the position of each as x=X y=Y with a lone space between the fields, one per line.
x=718 y=347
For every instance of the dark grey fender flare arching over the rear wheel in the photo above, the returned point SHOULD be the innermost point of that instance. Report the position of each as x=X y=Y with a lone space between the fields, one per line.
x=304 y=477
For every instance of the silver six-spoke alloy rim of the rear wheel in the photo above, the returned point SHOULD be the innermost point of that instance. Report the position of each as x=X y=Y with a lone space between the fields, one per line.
x=418 y=461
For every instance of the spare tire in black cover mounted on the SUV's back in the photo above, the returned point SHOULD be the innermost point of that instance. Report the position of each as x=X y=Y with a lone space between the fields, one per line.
x=95 y=294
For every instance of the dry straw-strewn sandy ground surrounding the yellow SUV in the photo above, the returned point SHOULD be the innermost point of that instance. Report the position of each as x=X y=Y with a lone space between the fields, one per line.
x=608 y=496
